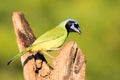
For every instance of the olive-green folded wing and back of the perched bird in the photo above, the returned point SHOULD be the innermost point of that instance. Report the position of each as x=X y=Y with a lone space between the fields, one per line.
x=51 y=35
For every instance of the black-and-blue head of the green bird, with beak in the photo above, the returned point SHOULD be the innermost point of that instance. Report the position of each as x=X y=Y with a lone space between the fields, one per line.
x=72 y=26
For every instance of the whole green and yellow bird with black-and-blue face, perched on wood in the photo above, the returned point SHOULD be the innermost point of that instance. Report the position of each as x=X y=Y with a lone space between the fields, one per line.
x=52 y=39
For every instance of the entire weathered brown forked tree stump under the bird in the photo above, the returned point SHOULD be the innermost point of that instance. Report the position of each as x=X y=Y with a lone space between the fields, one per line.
x=68 y=65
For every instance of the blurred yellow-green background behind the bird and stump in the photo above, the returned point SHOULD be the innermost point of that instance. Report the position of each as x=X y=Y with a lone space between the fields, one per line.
x=100 y=24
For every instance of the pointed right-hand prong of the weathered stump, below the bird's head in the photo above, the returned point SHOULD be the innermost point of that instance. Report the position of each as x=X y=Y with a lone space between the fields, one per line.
x=69 y=64
